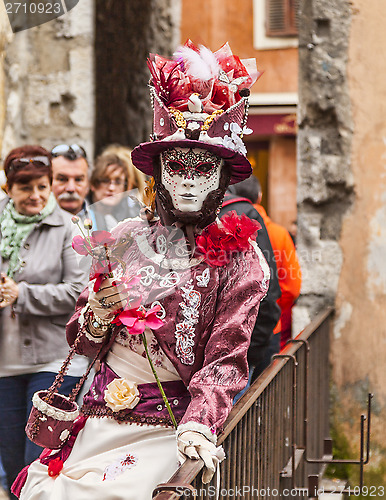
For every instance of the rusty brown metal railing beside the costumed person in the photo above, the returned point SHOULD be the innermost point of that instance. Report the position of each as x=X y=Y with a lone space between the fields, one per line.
x=282 y=419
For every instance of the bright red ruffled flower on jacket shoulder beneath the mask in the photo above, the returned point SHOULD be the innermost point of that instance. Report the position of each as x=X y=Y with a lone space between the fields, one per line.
x=218 y=242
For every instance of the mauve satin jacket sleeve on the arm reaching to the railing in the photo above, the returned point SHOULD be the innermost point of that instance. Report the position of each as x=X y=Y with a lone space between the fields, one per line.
x=244 y=282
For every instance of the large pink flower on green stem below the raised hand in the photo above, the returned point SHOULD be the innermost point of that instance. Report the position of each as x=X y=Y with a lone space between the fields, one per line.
x=137 y=319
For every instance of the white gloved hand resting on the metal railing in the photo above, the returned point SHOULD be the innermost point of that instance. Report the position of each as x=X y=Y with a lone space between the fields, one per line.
x=195 y=445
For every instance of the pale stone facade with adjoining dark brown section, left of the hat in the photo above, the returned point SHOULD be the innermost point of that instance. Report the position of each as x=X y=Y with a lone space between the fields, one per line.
x=82 y=77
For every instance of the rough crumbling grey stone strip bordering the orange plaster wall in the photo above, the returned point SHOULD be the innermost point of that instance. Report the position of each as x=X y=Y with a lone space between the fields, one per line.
x=325 y=180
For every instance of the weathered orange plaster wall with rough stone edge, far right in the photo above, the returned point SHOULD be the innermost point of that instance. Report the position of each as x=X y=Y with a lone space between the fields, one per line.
x=342 y=205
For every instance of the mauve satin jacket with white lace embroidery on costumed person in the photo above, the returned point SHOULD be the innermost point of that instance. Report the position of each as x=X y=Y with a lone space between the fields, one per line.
x=219 y=303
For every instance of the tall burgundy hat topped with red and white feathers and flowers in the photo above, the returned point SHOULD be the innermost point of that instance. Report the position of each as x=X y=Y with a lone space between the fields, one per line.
x=200 y=100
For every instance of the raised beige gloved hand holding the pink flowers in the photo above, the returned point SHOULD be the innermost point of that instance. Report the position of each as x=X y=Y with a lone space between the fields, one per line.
x=108 y=299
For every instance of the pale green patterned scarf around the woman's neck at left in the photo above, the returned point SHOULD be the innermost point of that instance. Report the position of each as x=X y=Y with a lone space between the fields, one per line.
x=15 y=228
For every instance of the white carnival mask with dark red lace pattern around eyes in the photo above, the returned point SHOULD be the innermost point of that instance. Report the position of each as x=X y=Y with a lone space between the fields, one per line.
x=189 y=175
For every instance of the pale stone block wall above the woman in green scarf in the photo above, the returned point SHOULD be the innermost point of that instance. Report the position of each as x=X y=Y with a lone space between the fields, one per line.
x=49 y=88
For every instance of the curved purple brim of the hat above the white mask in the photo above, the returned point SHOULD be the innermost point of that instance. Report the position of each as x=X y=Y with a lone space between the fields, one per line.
x=143 y=155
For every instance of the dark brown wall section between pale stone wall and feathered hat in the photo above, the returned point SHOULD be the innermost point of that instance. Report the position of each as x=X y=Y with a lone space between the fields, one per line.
x=126 y=32
